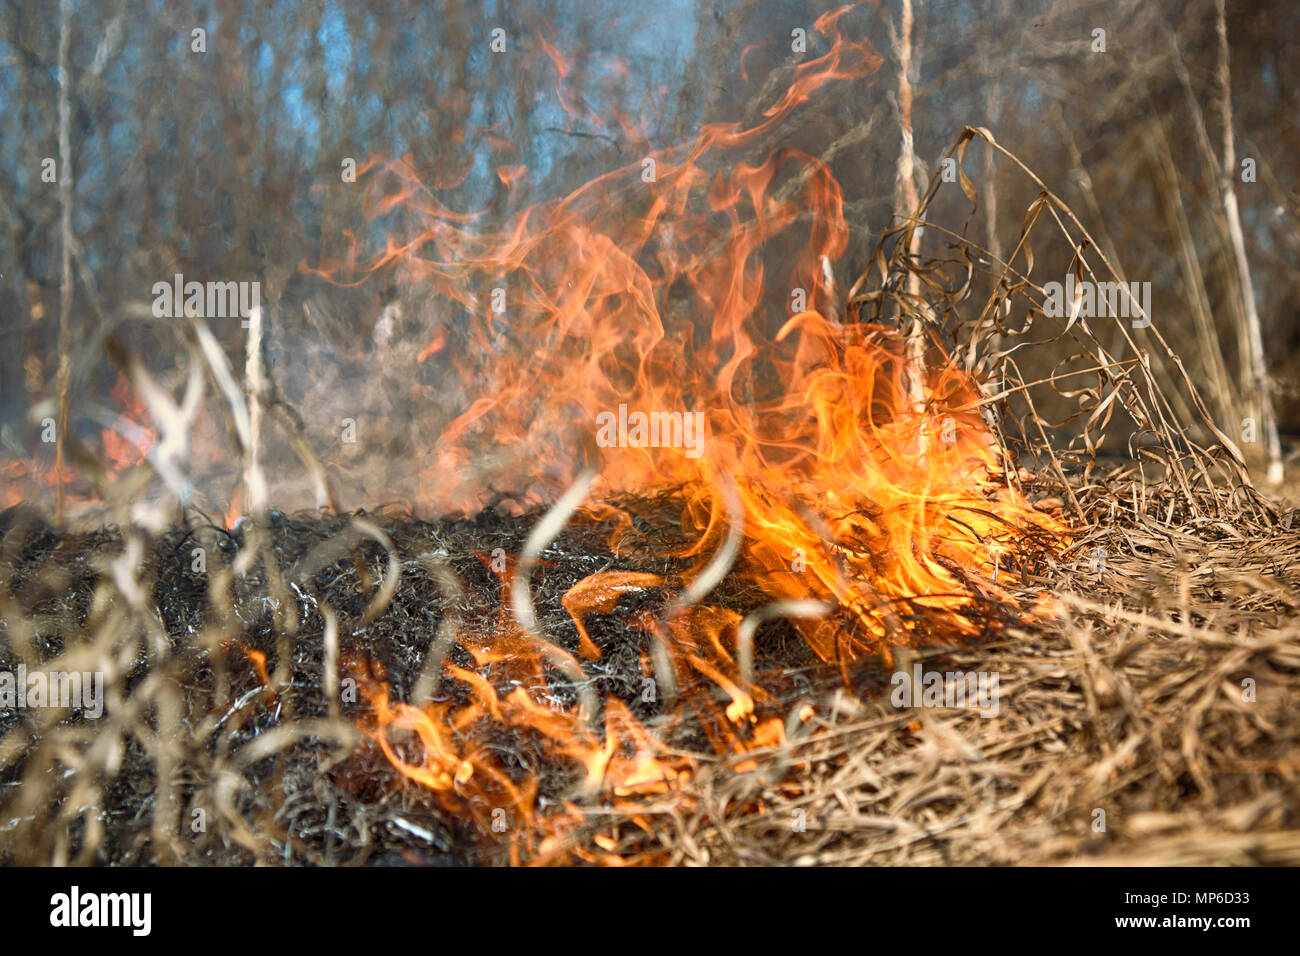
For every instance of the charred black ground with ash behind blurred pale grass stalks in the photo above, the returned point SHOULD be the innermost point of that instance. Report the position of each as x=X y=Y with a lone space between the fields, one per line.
x=359 y=811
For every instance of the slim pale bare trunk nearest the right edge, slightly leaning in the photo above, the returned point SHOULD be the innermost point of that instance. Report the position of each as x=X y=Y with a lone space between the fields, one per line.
x=1254 y=336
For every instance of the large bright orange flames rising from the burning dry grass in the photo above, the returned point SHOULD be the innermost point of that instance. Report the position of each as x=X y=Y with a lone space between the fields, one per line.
x=869 y=517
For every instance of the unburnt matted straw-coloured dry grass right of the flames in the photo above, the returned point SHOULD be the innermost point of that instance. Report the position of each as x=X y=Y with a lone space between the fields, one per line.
x=1132 y=703
